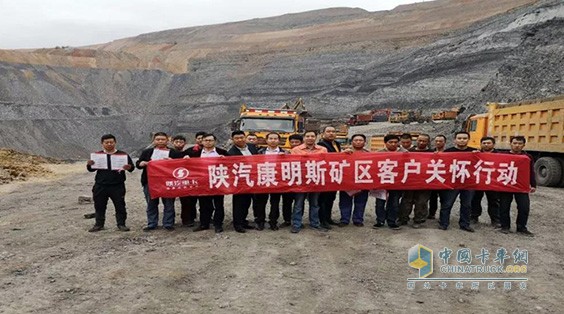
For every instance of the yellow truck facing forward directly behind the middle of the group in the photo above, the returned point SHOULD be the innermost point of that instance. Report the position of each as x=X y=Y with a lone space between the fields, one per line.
x=288 y=120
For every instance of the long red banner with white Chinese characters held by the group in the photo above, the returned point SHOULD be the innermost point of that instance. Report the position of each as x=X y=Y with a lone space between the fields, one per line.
x=338 y=172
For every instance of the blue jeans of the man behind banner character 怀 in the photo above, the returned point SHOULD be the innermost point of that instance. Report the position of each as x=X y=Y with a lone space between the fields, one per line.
x=448 y=198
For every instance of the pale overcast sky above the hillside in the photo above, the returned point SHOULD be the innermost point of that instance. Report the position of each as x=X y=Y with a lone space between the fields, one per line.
x=50 y=23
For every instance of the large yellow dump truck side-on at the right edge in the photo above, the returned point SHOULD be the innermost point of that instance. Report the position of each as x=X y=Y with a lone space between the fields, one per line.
x=541 y=122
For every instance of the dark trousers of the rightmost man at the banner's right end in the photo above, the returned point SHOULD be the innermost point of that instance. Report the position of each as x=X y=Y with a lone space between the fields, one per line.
x=523 y=207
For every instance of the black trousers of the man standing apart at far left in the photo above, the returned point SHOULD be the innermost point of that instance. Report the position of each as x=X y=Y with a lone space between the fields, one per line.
x=100 y=195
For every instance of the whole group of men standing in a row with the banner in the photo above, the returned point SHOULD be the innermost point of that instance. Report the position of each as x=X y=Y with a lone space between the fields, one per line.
x=393 y=207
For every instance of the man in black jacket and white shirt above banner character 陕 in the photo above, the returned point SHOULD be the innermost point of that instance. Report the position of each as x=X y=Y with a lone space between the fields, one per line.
x=210 y=204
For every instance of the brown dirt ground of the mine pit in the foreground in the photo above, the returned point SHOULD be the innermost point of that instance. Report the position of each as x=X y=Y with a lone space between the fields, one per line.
x=49 y=263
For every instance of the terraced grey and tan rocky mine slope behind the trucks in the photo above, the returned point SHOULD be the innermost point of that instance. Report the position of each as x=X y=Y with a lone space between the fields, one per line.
x=434 y=54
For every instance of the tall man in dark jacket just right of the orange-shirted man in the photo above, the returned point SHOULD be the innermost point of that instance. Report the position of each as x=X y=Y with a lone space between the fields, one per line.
x=326 y=199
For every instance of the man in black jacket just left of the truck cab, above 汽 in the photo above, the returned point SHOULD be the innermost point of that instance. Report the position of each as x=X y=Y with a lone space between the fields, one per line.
x=241 y=202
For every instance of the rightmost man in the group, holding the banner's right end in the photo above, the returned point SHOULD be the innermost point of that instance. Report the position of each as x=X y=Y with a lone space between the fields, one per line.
x=522 y=199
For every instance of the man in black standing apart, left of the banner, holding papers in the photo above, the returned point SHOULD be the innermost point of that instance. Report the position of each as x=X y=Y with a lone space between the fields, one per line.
x=109 y=184
